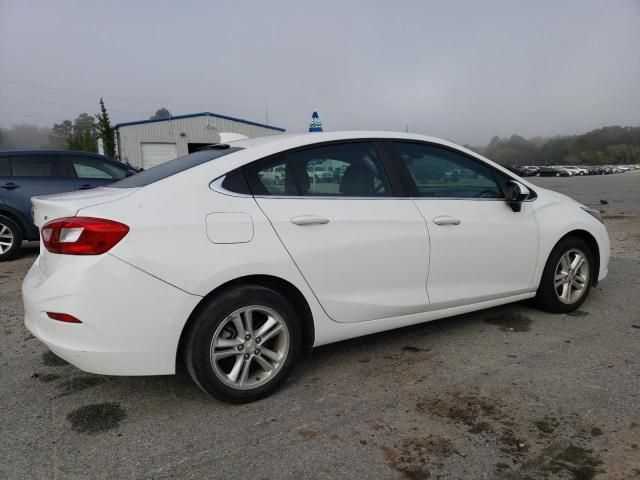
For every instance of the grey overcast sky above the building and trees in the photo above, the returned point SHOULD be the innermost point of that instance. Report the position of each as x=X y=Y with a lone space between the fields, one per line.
x=462 y=70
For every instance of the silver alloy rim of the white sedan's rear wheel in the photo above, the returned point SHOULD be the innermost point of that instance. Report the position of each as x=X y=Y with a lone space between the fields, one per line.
x=249 y=347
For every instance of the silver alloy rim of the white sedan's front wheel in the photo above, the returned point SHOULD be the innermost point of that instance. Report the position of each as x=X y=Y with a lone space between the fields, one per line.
x=571 y=276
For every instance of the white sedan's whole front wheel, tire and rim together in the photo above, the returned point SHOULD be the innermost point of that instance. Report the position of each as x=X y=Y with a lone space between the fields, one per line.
x=567 y=276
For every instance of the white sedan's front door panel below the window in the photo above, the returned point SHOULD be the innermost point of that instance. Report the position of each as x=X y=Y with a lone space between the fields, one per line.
x=476 y=259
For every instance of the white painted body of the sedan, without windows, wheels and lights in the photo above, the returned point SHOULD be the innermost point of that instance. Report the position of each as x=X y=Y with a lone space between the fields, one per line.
x=186 y=240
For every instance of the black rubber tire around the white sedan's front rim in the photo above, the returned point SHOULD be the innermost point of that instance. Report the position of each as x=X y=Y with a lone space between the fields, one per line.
x=547 y=297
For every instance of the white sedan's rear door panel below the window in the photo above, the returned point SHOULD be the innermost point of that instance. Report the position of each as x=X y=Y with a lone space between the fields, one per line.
x=383 y=241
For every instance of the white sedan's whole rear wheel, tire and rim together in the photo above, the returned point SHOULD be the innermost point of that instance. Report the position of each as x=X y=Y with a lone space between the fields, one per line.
x=243 y=344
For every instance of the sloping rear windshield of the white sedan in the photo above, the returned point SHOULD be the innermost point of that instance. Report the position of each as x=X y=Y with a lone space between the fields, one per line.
x=172 y=167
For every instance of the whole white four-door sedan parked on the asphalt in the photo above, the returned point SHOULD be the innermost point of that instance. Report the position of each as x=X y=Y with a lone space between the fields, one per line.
x=212 y=261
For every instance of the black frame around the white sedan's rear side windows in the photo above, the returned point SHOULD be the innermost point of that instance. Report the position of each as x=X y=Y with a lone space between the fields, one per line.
x=389 y=167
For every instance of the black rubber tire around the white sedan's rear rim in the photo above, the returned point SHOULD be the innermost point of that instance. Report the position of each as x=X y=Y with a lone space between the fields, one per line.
x=197 y=354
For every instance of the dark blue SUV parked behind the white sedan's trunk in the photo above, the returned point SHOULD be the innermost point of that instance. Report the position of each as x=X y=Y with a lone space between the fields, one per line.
x=27 y=174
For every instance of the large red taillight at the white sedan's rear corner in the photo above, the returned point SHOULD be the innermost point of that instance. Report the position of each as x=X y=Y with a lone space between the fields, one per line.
x=82 y=235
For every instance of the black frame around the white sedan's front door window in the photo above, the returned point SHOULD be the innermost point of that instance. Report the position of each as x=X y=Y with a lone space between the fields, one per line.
x=411 y=187
